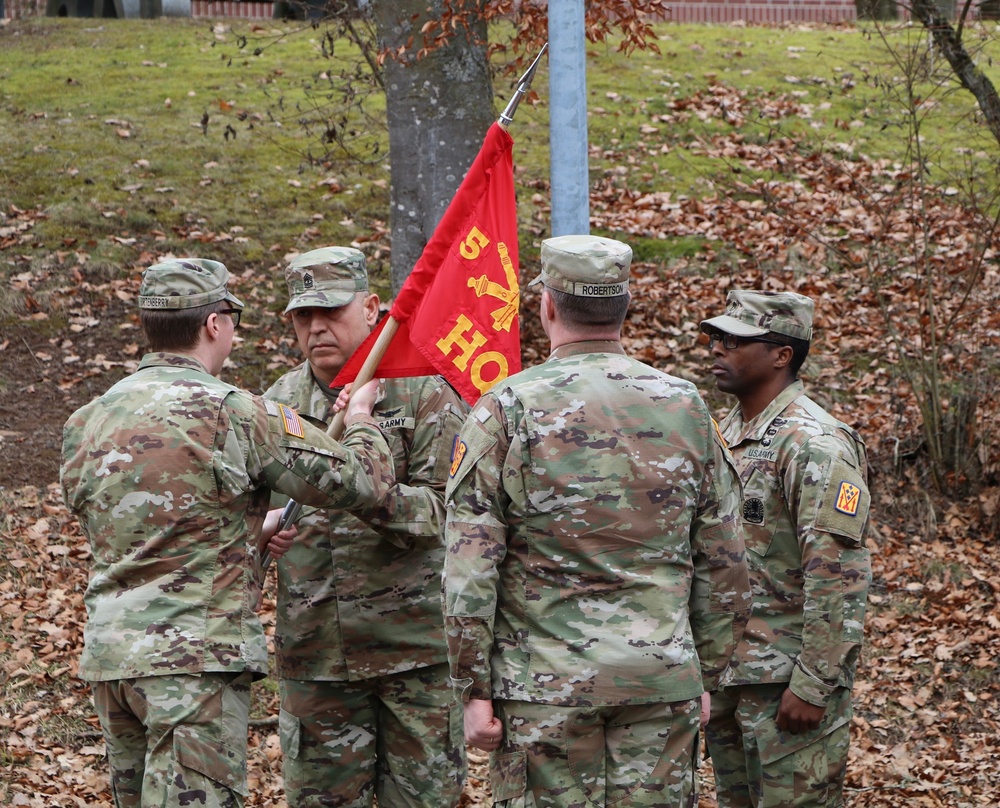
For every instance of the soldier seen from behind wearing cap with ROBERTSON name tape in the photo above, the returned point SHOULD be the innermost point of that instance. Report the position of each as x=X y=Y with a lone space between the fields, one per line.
x=595 y=578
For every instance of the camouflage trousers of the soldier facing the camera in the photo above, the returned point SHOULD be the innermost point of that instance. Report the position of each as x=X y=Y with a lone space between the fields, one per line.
x=399 y=738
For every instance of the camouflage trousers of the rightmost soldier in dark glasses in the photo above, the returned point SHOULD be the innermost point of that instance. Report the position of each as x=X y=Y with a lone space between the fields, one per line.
x=759 y=766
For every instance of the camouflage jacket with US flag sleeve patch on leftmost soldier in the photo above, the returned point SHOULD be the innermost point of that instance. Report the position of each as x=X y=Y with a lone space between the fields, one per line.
x=169 y=472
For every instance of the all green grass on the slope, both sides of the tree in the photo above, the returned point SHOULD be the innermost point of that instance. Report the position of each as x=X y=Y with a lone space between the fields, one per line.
x=71 y=88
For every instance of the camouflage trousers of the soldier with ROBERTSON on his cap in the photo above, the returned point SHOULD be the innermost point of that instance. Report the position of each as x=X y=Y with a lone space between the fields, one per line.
x=577 y=757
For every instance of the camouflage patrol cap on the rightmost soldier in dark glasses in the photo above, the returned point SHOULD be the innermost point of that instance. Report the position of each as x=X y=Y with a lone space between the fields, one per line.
x=753 y=314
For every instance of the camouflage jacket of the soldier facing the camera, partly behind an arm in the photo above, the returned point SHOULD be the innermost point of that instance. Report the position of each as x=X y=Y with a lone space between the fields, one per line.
x=358 y=601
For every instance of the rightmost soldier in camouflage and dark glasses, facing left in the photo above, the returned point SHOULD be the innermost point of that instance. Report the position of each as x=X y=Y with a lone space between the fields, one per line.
x=780 y=729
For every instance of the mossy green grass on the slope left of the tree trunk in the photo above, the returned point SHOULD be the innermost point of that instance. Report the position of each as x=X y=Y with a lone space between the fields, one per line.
x=103 y=129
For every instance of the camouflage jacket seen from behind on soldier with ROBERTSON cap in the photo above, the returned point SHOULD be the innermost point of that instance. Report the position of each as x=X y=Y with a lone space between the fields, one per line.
x=595 y=555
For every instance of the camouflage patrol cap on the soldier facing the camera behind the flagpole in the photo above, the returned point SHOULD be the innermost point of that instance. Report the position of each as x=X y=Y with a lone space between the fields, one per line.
x=328 y=278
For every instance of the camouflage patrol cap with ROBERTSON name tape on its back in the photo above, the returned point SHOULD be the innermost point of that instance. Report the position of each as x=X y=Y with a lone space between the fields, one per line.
x=585 y=266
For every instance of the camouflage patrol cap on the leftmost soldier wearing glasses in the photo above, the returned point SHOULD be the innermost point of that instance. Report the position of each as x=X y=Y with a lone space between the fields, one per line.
x=184 y=283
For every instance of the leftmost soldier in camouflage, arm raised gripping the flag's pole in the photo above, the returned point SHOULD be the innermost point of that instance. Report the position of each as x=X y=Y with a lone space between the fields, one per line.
x=170 y=472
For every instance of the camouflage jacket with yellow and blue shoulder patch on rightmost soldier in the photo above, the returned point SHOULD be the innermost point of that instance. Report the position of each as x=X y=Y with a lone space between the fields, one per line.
x=805 y=516
